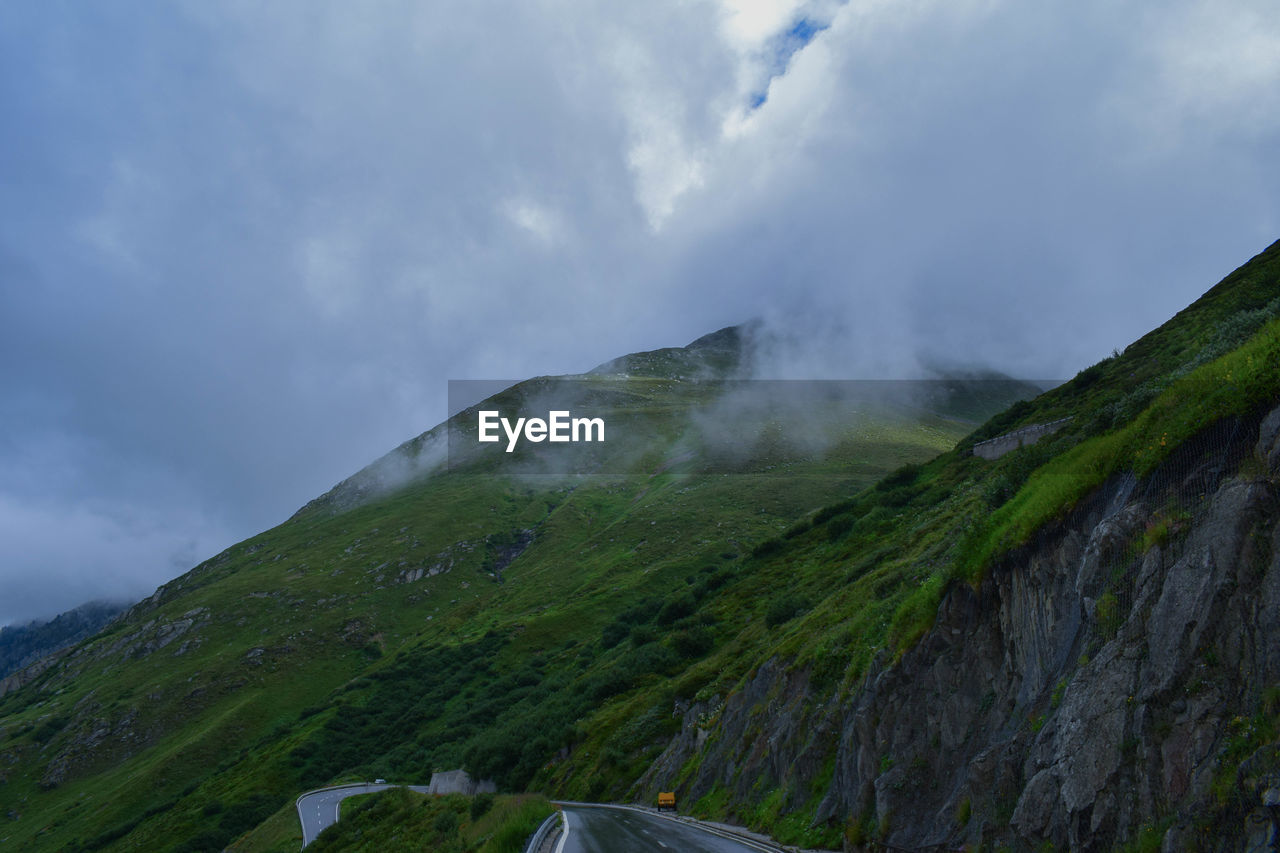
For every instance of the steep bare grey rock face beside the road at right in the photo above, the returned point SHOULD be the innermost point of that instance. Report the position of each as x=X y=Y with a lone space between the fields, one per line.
x=1117 y=679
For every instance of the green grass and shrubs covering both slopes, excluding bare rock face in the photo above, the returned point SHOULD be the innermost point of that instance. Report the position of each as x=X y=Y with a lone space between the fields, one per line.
x=540 y=631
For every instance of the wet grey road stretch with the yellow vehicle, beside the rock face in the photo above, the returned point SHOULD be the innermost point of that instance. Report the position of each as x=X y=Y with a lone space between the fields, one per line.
x=604 y=829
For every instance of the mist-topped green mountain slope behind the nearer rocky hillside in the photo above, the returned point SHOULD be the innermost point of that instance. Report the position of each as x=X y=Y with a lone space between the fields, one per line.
x=440 y=610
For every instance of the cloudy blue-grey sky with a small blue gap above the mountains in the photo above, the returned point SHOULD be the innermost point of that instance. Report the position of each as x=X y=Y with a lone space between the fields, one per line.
x=244 y=247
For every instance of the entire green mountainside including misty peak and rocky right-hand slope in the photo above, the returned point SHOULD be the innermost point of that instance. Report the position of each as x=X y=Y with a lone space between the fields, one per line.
x=839 y=626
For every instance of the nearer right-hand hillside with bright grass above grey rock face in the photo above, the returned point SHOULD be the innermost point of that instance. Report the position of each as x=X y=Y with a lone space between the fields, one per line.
x=1072 y=647
